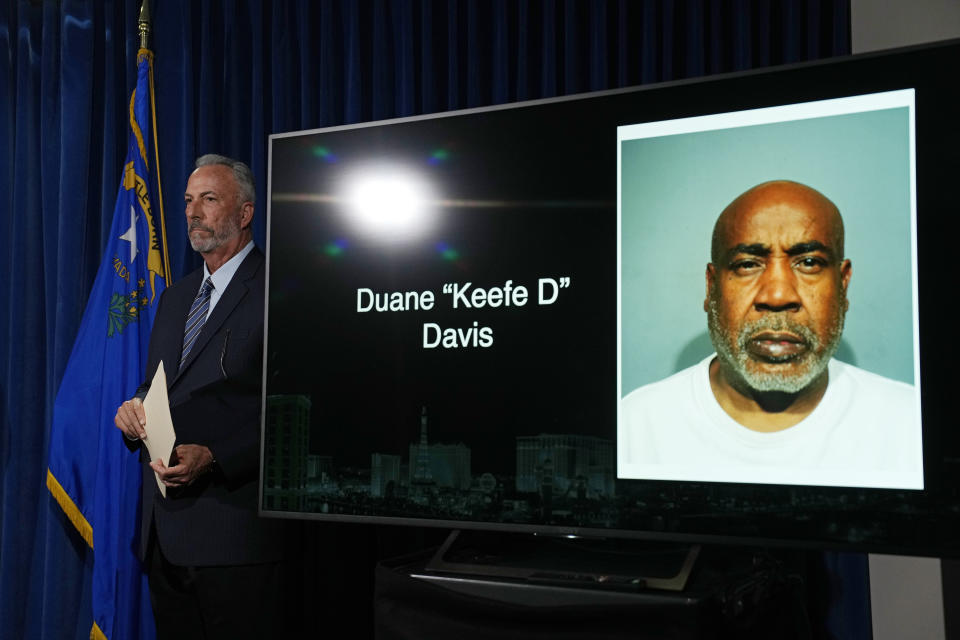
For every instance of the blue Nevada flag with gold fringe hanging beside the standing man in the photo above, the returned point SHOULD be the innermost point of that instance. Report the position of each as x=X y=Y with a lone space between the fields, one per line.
x=91 y=473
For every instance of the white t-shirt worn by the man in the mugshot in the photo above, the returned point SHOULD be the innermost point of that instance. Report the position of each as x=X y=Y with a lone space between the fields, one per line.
x=865 y=432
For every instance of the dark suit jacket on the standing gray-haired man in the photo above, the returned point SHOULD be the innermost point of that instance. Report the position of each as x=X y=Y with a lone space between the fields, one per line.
x=215 y=400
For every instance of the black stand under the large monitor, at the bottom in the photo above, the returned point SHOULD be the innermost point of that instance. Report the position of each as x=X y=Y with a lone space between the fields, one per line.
x=518 y=585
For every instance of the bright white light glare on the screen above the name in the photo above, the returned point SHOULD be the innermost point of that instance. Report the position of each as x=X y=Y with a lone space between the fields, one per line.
x=389 y=202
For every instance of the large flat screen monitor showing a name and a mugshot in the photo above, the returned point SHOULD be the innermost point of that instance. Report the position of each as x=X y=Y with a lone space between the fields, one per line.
x=708 y=310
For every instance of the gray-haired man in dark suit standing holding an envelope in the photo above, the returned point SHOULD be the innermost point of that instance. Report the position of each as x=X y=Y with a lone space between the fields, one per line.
x=213 y=564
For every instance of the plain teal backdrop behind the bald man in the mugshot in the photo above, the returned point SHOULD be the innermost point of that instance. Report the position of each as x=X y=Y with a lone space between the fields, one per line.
x=674 y=187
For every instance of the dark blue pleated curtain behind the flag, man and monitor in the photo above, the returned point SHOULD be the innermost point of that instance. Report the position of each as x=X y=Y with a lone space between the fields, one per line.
x=228 y=74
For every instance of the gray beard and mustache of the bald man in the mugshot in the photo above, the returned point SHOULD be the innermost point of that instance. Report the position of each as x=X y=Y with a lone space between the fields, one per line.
x=735 y=355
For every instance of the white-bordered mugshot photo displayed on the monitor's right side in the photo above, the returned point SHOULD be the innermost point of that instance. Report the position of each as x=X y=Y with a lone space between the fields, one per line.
x=767 y=297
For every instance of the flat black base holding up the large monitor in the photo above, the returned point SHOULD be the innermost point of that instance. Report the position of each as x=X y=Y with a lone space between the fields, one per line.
x=589 y=563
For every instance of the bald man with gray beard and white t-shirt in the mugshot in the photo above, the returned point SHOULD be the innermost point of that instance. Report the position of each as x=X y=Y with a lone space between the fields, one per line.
x=772 y=403
